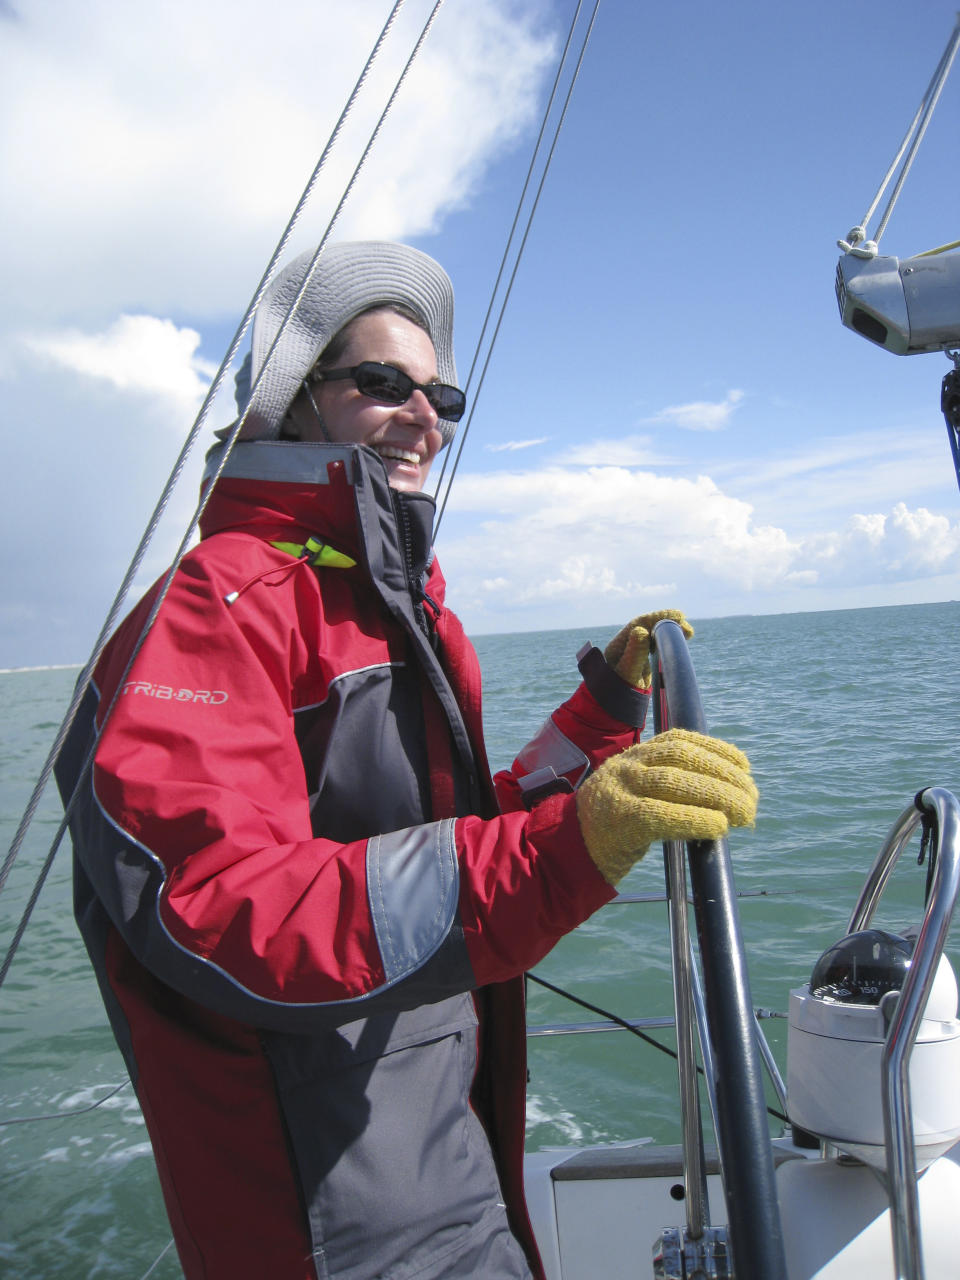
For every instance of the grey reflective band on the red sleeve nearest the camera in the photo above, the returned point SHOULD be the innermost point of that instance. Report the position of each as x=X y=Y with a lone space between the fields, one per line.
x=413 y=883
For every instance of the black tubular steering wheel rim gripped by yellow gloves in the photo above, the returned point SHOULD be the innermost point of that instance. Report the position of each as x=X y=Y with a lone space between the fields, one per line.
x=744 y=1140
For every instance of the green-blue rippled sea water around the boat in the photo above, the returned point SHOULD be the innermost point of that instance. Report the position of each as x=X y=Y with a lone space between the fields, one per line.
x=845 y=716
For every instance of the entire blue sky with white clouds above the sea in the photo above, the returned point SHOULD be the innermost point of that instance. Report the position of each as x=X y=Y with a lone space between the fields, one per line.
x=673 y=414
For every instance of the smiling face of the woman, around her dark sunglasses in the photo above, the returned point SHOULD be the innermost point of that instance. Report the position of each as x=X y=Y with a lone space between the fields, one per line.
x=406 y=437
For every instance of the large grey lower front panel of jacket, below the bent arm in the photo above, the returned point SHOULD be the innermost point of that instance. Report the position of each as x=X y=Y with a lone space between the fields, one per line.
x=395 y=1167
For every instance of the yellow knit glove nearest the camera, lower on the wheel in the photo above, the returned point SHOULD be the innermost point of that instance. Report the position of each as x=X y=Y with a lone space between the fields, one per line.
x=678 y=787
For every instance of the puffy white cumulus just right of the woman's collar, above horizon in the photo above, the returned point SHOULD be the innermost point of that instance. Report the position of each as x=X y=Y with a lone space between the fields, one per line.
x=602 y=540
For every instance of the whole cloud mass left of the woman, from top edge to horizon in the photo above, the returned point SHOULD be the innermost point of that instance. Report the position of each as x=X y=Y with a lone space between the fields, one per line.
x=150 y=158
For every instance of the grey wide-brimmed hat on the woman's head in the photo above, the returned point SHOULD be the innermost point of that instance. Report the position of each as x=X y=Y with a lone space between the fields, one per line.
x=350 y=278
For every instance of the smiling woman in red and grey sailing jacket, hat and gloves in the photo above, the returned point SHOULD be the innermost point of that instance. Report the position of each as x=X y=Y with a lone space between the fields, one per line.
x=307 y=908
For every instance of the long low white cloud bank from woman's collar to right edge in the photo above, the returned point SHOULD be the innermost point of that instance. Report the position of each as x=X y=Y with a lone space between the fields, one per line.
x=568 y=543
